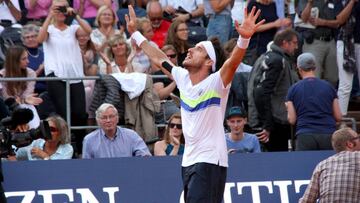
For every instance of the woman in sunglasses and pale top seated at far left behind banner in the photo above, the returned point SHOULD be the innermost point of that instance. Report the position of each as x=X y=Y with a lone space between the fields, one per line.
x=58 y=147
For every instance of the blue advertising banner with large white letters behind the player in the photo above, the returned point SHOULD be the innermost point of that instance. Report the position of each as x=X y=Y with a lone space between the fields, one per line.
x=264 y=177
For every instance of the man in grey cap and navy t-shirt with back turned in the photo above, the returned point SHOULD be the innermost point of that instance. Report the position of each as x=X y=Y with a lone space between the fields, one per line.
x=312 y=106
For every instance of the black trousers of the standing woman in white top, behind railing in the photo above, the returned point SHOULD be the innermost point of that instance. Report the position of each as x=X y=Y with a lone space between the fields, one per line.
x=57 y=94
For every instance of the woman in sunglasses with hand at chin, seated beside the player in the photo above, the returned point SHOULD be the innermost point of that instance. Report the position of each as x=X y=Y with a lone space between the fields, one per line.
x=173 y=141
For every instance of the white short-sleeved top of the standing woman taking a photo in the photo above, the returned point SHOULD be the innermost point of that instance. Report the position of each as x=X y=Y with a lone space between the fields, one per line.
x=62 y=54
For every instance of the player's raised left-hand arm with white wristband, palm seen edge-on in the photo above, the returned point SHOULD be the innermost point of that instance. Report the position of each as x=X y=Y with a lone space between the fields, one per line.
x=154 y=53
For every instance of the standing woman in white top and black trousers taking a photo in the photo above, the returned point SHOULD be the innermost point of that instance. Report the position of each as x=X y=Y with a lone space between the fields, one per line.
x=63 y=59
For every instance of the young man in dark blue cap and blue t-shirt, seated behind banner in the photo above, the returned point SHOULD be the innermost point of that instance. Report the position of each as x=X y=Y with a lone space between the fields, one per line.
x=237 y=140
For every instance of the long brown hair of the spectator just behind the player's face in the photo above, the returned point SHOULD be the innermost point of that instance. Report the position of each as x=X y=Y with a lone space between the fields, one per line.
x=173 y=39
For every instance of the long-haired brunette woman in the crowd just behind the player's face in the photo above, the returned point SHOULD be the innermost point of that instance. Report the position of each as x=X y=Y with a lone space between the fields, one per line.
x=177 y=36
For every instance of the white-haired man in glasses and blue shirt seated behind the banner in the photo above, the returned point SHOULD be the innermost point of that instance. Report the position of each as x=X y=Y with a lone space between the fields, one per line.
x=110 y=140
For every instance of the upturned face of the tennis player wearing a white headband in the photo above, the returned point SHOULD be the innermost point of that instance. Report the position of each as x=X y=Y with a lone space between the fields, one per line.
x=196 y=57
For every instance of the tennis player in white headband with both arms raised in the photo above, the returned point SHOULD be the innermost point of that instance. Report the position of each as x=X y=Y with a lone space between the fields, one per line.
x=203 y=92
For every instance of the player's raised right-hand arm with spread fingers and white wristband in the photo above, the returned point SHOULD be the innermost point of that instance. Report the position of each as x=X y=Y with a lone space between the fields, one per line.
x=245 y=30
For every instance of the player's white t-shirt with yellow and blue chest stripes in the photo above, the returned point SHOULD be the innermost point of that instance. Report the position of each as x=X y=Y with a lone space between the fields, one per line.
x=202 y=114
